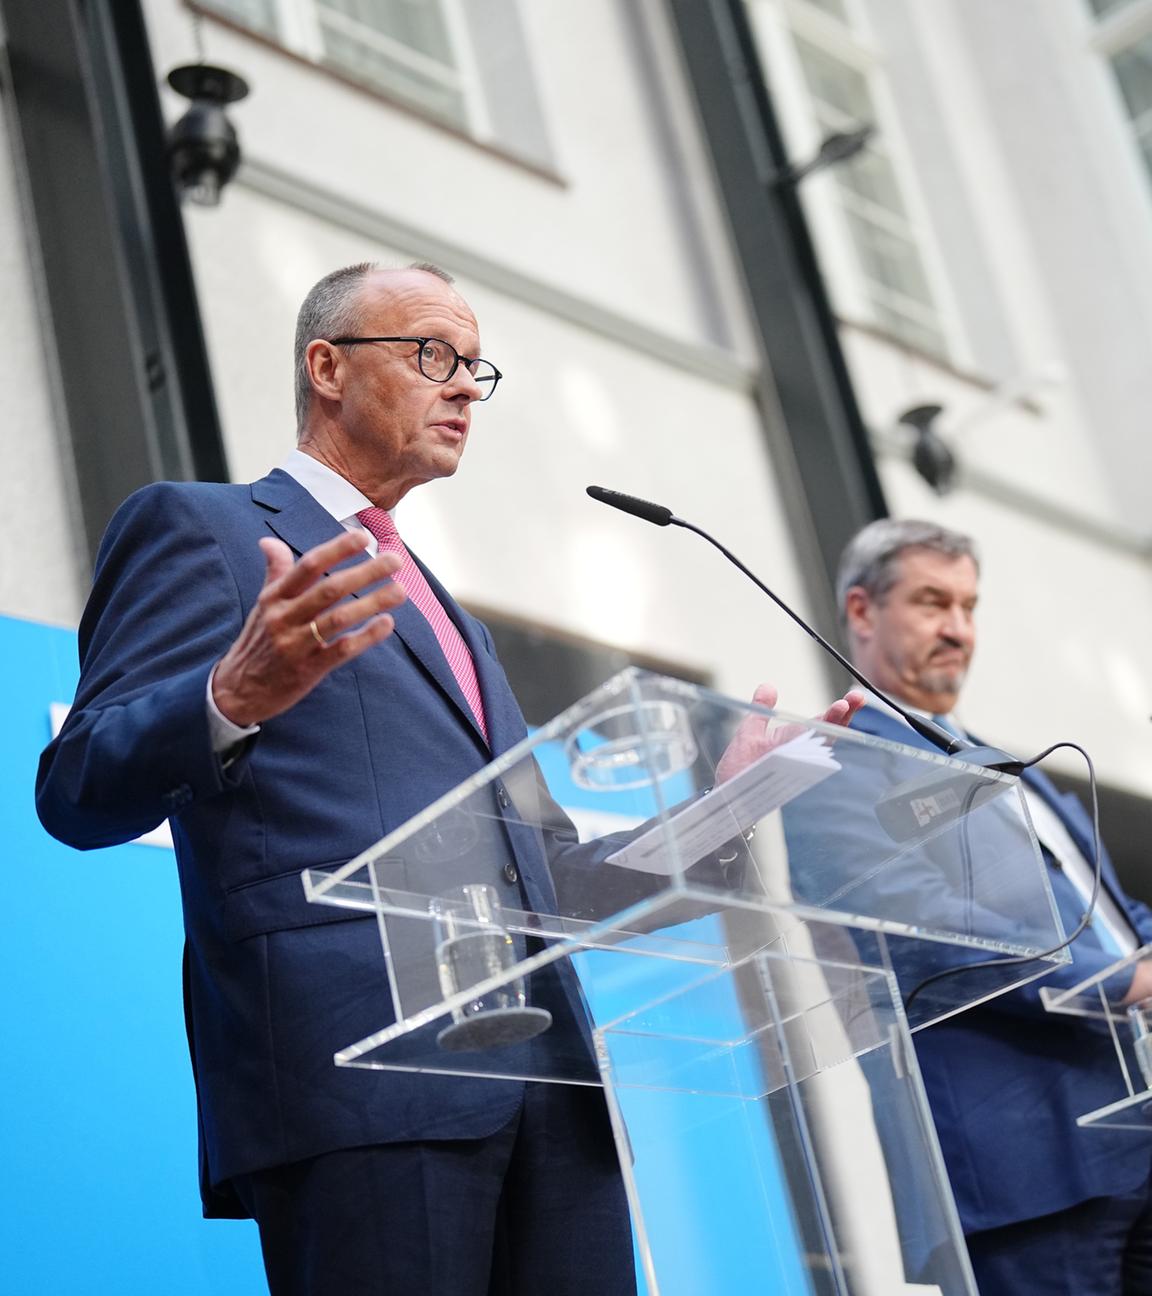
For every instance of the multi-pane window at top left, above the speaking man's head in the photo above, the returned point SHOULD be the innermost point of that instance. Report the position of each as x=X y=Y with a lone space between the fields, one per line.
x=462 y=63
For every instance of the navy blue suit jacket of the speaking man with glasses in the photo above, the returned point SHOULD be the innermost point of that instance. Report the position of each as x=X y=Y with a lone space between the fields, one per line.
x=274 y=986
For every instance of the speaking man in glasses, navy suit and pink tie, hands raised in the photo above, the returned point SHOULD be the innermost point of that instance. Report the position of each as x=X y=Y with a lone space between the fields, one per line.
x=247 y=675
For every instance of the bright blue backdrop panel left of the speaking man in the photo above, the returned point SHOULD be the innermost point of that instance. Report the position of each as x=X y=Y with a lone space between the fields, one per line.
x=98 y=1119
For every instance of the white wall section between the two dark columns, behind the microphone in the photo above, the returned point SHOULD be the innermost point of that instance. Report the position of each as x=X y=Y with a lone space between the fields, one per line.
x=566 y=277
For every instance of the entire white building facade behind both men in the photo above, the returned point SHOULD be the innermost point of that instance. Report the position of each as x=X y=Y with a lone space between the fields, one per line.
x=989 y=255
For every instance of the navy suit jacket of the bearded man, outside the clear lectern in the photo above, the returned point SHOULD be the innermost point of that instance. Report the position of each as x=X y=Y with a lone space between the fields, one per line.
x=1008 y=1080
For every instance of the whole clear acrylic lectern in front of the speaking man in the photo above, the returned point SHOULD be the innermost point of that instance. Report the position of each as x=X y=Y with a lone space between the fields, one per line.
x=716 y=912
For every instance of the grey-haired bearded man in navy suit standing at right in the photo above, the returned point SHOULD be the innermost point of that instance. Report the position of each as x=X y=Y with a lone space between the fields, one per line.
x=1048 y=1207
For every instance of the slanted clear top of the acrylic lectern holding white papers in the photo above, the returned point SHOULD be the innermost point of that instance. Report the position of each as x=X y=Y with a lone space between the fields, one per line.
x=652 y=803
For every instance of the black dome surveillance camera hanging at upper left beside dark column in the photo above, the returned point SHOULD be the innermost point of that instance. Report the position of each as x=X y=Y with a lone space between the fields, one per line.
x=203 y=148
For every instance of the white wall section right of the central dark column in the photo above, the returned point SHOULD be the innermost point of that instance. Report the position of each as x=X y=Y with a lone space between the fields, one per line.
x=1037 y=224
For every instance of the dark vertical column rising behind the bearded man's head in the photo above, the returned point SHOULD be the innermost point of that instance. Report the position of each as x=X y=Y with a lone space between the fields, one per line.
x=807 y=387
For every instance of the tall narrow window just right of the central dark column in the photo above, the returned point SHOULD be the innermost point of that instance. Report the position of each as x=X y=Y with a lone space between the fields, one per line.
x=875 y=216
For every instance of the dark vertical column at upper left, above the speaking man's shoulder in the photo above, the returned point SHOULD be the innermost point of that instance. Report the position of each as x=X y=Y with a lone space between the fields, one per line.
x=124 y=316
